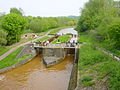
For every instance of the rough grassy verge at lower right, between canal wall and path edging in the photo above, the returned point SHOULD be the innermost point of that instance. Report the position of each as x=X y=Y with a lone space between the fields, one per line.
x=97 y=70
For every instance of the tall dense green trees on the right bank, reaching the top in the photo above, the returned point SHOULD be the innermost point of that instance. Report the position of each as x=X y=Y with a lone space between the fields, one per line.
x=103 y=18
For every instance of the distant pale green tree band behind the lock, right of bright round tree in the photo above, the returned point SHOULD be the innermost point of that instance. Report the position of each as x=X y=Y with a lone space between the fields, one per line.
x=39 y=24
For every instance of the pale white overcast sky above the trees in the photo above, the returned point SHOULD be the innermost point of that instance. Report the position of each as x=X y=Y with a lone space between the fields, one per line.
x=44 y=7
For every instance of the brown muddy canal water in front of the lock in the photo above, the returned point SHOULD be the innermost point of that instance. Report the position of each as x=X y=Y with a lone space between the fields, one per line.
x=35 y=76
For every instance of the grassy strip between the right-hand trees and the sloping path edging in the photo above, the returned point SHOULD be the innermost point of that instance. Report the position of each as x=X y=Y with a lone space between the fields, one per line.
x=88 y=37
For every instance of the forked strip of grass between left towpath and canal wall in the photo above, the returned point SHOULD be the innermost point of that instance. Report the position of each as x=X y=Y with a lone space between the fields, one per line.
x=11 y=59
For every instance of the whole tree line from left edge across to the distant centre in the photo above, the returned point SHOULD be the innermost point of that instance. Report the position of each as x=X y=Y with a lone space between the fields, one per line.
x=14 y=24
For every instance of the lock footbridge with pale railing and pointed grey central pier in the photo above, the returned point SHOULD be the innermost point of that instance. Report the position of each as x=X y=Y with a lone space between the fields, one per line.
x=54 y=53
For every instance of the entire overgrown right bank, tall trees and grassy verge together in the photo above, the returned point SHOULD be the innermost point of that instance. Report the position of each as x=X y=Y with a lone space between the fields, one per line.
x=99 y=24
